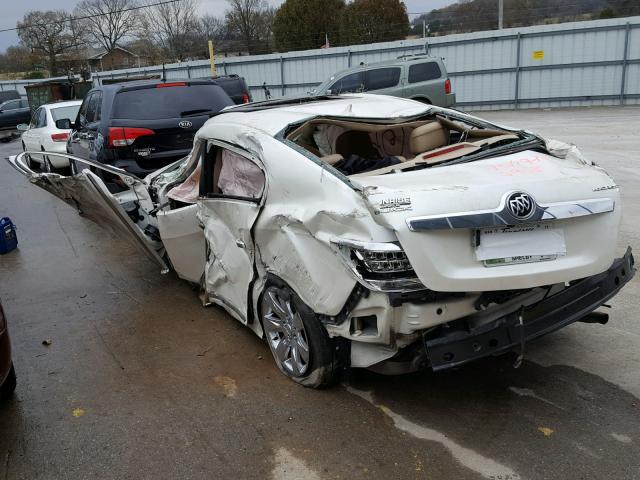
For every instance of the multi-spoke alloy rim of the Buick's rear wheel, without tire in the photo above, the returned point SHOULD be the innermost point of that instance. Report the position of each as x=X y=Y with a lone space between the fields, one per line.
x=285 y=332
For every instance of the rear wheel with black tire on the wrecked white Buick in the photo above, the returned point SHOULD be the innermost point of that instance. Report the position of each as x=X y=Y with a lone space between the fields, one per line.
x=289 y=326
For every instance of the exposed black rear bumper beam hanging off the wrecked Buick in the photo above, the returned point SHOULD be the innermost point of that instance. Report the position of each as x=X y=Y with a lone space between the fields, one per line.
x=455 y=347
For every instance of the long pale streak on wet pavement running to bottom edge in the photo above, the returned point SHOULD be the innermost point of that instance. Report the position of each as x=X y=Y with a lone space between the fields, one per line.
x=486 y=467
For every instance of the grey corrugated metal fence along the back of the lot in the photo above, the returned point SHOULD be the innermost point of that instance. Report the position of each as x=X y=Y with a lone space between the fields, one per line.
x=571 y=64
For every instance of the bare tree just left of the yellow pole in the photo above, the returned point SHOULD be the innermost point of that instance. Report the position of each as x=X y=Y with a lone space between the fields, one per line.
x=174 y=26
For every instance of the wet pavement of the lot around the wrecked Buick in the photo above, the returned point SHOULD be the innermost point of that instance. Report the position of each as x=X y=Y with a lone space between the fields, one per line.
x=140 y=381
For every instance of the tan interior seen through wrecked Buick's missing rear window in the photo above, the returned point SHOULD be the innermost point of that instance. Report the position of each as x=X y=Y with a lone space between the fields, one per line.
x=388 y=148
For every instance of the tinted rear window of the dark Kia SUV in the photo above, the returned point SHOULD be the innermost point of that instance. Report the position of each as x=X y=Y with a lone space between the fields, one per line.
x=170 y=102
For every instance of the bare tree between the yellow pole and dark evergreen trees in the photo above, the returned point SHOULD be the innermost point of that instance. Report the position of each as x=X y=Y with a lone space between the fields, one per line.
x=247 y=19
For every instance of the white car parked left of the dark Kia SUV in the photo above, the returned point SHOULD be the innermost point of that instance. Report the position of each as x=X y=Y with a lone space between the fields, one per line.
x=42 y=135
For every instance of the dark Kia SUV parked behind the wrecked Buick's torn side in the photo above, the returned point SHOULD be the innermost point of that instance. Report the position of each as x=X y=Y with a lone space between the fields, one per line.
x=142 y=126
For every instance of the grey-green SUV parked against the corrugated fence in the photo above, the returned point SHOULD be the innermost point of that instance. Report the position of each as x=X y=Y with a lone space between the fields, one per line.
x=419 y=77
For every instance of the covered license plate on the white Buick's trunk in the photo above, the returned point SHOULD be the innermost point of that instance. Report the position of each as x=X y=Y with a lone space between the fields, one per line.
x=535 y=242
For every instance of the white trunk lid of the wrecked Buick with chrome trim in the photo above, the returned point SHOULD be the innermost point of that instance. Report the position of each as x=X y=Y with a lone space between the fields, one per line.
x=579 y=203
